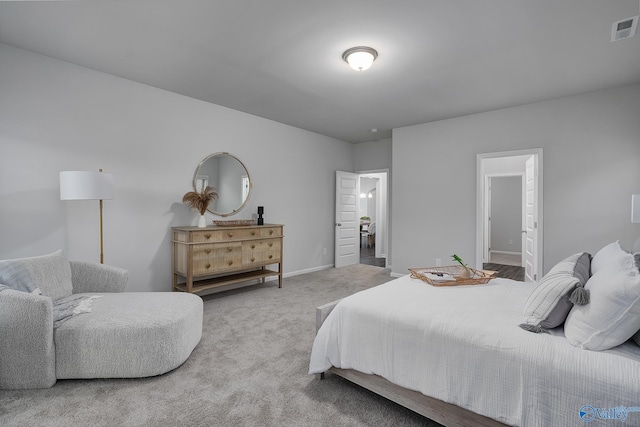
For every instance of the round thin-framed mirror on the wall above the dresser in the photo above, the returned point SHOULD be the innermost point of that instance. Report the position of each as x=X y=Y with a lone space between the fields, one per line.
x=230 y=179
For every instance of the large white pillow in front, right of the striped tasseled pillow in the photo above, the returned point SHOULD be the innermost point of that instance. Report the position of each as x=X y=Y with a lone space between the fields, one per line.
x=613 y=313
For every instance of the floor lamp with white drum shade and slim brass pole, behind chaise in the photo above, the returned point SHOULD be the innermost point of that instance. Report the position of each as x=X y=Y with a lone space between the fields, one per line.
x=87 y=185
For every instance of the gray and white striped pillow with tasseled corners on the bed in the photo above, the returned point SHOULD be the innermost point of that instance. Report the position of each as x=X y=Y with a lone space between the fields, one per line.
x=550 y=302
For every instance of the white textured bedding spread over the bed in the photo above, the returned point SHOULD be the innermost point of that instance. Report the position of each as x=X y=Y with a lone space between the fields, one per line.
x=462 y=344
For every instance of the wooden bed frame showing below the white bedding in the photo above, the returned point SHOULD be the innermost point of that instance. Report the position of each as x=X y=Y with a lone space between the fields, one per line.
x=437 y=410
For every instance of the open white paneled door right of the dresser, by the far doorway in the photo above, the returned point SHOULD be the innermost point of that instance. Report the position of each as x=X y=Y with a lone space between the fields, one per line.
x=347 y=225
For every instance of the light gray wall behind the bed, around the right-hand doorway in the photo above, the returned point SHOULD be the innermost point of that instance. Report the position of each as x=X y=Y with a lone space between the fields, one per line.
x=591 y=166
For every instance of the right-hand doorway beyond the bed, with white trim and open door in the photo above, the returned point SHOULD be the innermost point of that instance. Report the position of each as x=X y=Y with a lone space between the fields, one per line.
x=509 y=214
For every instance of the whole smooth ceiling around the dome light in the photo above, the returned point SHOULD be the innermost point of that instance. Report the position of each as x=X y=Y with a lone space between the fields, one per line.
x=281 y=59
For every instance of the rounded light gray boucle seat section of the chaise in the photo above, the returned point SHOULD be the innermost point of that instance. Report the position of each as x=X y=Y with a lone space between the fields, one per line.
x=128 y=335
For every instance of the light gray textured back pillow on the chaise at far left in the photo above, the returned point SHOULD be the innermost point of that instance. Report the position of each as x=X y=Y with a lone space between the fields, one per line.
x=50 y=273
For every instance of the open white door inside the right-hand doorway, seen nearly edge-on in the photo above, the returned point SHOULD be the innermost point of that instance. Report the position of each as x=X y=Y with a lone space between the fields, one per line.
x=531 y=220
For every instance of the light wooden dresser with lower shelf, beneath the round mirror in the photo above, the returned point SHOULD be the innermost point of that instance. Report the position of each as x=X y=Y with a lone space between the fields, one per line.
x=211 y=257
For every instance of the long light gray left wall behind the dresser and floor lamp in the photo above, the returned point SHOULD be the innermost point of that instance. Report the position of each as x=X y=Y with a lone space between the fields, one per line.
x=55 y=116
